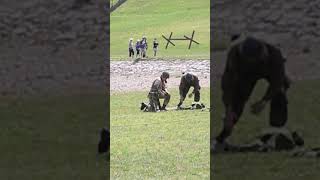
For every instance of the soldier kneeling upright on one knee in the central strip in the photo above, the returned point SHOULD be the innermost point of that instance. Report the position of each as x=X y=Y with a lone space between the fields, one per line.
x=158 y=91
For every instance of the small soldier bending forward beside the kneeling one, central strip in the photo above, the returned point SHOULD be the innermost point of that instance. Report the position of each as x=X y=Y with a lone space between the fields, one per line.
x=189 y=80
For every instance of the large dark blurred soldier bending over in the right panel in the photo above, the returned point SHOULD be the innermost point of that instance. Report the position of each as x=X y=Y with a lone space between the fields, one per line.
x=249 y=61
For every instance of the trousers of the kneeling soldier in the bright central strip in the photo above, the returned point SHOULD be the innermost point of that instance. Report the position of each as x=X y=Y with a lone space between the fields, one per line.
x=154 y=101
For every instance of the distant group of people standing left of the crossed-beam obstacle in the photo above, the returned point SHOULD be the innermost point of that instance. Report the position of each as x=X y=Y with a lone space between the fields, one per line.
x=141 y=47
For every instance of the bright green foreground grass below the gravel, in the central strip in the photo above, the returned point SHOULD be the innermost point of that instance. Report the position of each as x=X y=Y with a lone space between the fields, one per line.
x=164 y=145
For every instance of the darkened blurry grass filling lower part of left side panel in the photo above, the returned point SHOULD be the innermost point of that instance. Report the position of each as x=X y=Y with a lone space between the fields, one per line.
x=52 y=138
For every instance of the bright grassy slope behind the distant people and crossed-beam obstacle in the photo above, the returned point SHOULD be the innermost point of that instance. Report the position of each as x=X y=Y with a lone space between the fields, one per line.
x=136 y=18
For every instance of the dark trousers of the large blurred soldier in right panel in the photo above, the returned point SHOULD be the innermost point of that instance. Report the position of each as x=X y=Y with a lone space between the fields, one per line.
x=278 y=107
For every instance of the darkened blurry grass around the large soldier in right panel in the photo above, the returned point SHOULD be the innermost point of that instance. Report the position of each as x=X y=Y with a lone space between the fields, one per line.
x=304 y=116
